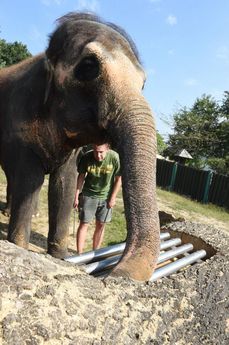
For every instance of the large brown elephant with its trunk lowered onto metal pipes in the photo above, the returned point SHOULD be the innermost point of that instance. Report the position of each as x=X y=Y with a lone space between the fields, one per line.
x=85 y=88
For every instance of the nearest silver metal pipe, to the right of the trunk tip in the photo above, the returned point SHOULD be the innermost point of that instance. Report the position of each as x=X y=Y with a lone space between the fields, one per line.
x=177 y=265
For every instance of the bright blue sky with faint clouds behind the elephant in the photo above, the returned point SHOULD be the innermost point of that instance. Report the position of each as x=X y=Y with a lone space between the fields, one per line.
x=183 y=44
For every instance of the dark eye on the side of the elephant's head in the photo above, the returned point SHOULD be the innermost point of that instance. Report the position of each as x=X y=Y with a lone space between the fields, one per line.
x=87 y=69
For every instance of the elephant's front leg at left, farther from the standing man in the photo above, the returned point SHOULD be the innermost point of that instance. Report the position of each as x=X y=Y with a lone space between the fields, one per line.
x=27 y=181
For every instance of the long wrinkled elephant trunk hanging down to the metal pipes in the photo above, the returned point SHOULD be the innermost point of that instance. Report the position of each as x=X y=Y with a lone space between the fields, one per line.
x=135 y=134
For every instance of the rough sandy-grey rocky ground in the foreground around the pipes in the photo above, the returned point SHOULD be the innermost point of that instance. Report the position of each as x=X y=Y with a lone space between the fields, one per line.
x=47 y=301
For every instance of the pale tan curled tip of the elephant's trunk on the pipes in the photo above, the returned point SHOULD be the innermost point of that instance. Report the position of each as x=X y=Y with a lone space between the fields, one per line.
x=134 y=268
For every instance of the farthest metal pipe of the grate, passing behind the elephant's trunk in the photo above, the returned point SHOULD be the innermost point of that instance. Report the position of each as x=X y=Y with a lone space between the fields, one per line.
x=104 y=252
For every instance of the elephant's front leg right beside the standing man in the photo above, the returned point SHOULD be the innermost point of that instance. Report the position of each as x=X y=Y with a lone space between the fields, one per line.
x=62 y=185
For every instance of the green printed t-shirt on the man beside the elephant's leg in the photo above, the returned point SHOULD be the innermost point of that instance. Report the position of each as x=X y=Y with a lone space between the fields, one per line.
x=100 y=175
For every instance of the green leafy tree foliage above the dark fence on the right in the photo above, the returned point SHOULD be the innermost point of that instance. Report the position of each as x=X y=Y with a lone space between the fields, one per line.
x=203 y=130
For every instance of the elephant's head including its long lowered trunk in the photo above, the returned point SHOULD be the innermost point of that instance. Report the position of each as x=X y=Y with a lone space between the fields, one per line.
x=97 y=78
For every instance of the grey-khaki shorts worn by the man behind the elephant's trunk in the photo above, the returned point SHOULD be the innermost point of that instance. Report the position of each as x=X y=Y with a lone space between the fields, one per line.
x=90 y=208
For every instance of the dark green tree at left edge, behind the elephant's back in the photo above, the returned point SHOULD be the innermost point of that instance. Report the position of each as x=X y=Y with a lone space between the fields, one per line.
x=11 y=53
